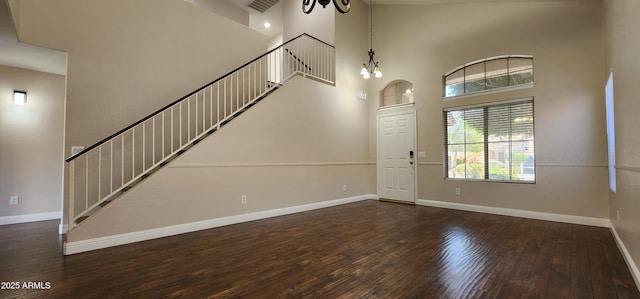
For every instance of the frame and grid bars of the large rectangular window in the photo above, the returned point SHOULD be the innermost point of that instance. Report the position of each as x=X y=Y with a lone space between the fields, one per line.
x=486 y=142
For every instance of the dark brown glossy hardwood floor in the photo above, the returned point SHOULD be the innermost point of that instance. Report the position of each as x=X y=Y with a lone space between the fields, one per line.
x=367 y=249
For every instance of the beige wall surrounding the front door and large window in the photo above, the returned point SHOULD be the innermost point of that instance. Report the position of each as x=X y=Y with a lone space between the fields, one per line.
x=566 y=40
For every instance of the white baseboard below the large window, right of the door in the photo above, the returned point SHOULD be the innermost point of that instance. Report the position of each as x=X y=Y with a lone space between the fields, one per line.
x=592 y=221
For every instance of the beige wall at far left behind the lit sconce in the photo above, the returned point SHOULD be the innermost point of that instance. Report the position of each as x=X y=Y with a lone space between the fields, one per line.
x=31 y=142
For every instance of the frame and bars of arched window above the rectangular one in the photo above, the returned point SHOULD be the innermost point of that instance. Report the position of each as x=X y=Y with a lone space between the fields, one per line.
x=465 y=66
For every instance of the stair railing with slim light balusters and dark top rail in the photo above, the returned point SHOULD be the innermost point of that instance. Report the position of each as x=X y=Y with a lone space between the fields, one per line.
x=101 y=173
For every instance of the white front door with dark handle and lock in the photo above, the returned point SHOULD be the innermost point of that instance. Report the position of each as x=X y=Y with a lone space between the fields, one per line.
x=397 y=157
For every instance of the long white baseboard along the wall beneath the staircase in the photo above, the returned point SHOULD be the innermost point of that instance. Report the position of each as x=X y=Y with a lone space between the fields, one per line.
x=121 y=239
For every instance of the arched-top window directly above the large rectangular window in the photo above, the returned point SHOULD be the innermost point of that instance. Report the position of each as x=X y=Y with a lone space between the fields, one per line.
x=488 y=74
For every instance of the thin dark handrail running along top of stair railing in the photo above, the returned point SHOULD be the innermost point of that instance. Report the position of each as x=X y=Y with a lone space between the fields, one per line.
x=87 y=149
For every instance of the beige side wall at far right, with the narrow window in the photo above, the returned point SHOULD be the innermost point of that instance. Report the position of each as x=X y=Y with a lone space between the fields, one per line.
x=622 y=48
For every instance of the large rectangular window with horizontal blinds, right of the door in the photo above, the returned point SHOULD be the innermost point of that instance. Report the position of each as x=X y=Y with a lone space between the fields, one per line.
x=492 y=142
